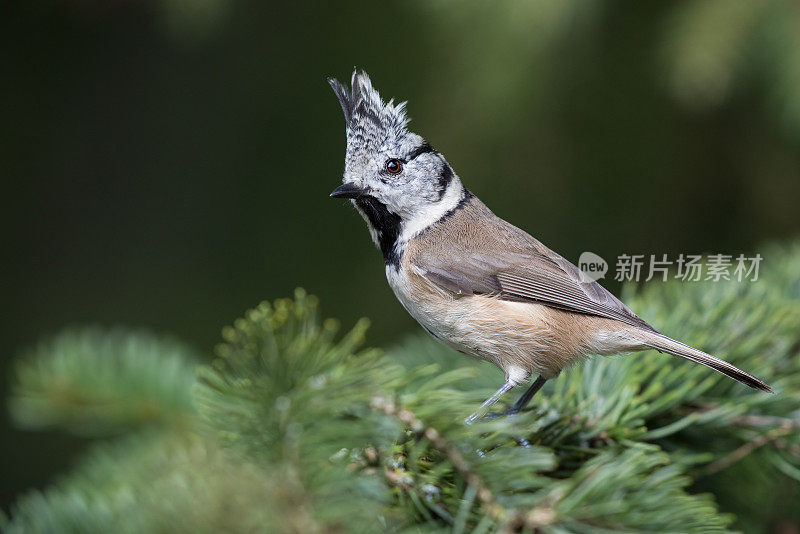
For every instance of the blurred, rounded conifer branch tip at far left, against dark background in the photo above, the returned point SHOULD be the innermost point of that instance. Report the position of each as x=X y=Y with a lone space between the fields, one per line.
x=98 y=382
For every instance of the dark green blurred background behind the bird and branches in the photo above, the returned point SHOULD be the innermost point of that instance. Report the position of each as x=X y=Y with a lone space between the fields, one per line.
x=167 y=164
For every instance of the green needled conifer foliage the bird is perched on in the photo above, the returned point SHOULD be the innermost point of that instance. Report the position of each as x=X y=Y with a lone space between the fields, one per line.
x=293 y=429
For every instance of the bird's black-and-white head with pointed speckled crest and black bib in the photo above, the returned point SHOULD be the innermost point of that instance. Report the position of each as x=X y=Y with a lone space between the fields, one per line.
x=394 y=177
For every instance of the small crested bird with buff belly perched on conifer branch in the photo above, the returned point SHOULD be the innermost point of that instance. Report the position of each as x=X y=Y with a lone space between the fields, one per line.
x=474 y=281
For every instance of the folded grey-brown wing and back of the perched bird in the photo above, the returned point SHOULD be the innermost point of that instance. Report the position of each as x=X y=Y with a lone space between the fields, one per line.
x=500 y=259
